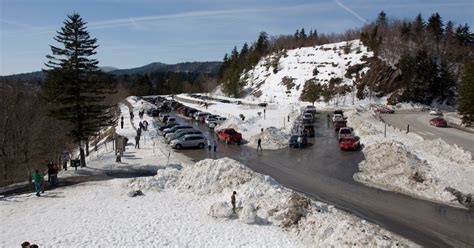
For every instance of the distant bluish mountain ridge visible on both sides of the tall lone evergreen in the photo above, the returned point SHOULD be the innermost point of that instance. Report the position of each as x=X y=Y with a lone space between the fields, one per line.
x=195 y=67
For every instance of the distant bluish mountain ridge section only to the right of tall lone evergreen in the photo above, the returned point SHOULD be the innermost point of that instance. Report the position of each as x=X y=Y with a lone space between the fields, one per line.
x=196 y=67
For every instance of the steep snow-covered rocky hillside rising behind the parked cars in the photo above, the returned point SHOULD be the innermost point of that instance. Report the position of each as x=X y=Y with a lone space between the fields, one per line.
x=280 y=77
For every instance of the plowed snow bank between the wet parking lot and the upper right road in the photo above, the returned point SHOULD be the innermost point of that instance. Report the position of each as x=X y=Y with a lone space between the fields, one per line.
x=409 y=164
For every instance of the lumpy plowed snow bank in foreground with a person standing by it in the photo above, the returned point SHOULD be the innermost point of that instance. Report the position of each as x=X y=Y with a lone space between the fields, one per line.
x=262 y=201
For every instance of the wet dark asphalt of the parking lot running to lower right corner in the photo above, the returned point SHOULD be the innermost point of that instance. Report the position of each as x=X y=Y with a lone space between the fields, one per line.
x=324 y=173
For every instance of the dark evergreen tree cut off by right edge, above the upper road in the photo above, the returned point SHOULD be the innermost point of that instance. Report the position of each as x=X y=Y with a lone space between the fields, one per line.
x=466 y=94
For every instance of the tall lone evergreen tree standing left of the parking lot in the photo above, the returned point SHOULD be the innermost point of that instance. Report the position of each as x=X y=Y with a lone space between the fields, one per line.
x=74 y=86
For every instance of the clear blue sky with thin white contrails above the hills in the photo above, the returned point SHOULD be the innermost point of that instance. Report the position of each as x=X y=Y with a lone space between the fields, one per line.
x=133 y=33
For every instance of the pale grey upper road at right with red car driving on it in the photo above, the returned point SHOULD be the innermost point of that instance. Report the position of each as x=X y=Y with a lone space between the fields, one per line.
x=419 y=124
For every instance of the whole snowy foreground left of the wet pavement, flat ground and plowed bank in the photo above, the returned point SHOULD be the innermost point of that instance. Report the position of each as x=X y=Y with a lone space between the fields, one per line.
x=185 y=204
